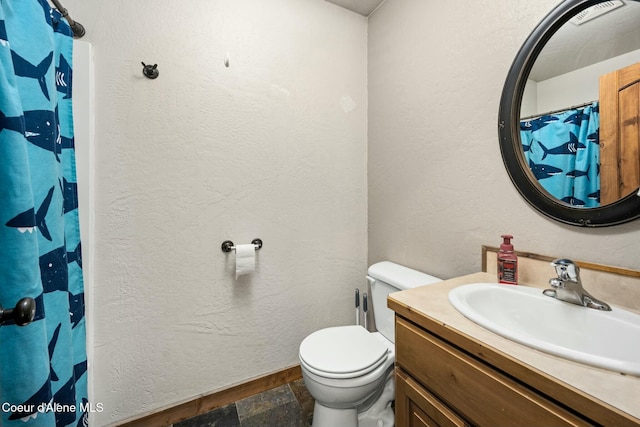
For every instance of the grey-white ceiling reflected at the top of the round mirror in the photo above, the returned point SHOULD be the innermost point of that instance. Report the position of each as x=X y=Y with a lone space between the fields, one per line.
x=573 y=47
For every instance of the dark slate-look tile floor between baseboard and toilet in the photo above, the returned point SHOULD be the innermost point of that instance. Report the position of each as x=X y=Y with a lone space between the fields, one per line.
x=289 y=405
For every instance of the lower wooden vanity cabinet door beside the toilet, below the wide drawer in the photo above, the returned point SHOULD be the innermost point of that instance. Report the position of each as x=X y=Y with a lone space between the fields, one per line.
x=416 y=407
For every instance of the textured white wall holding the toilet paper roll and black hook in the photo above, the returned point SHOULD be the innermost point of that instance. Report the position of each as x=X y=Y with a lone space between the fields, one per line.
x=274 y=146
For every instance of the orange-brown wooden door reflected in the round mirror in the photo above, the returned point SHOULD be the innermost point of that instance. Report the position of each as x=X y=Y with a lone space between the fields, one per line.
x=619 y=133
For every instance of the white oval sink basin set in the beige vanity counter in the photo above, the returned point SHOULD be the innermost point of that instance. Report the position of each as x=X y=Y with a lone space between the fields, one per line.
x=606 y=339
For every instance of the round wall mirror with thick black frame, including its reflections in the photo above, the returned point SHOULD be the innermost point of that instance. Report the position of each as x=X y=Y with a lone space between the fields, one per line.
x=569 y=119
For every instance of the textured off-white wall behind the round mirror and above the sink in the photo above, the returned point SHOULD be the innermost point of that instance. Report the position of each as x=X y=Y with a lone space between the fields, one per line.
x=438 y=189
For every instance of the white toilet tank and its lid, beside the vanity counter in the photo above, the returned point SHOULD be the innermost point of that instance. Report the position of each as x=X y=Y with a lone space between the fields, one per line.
x=386 y=277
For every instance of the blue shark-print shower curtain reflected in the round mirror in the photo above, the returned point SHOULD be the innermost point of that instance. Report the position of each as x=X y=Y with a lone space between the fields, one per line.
x=563 y=152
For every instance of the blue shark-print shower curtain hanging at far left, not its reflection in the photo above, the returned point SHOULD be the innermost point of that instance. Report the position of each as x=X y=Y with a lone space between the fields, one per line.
x=43 y=380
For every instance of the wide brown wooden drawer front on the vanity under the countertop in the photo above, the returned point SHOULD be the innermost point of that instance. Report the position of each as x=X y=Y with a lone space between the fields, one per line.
x=481 y=394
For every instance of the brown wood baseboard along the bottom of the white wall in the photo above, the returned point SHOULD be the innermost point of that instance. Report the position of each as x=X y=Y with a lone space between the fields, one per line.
x=218 y=399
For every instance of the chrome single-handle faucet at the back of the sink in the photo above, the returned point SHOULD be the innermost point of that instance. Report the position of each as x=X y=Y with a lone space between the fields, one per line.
x=568 y=286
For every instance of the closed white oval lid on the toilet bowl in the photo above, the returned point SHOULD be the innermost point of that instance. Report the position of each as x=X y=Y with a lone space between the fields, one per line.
x=342 y=350
